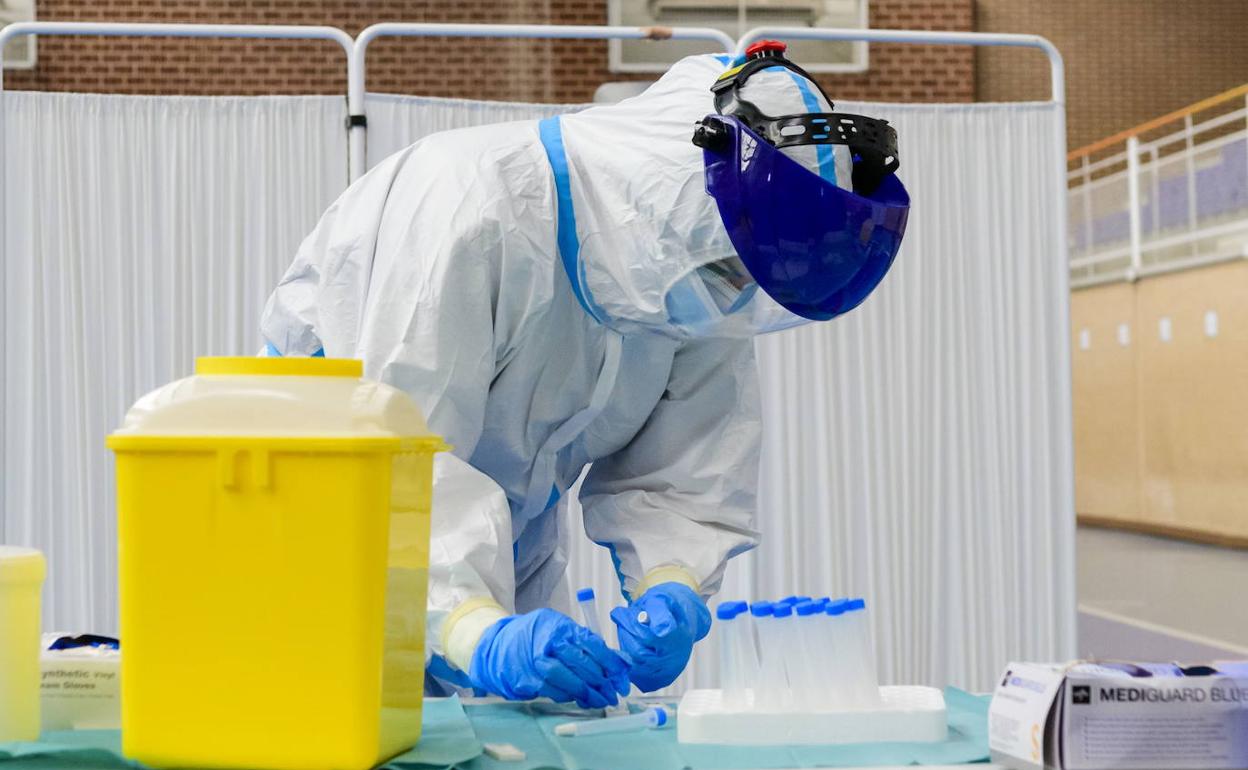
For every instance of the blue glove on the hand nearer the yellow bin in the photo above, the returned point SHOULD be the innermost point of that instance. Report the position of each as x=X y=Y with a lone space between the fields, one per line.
x=547 y=655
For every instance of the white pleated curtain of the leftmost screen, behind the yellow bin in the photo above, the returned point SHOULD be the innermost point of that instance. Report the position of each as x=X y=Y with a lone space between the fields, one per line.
x=142 y=233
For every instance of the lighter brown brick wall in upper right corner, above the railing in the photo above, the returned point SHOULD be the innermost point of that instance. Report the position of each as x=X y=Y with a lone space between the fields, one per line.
x=1126 y=61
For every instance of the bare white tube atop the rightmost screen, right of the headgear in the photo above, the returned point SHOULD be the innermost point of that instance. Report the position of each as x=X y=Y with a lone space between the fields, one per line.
x=1058 y=71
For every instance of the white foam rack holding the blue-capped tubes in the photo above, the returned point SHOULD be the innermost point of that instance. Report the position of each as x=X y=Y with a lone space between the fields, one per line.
x=909 y=714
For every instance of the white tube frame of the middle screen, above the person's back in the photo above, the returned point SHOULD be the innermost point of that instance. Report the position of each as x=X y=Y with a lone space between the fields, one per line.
x=356 y=67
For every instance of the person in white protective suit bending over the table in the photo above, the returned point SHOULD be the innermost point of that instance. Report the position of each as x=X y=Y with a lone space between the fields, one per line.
x=583 y=293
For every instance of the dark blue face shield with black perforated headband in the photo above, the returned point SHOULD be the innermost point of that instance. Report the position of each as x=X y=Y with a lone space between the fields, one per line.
x=812 y=248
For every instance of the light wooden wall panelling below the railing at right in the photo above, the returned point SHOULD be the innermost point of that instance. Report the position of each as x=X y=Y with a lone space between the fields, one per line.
x=1161 y=426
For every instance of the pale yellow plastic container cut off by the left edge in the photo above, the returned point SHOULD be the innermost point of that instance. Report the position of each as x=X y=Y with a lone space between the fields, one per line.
x=22 y=582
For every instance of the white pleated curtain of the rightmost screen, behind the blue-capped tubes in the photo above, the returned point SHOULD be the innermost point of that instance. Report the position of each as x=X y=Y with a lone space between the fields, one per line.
x=918 y=451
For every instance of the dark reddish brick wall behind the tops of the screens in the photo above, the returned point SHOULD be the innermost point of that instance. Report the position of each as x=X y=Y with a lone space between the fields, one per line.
x=521 y=71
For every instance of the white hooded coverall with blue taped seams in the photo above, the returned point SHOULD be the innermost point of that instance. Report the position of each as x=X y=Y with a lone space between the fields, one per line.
x=442 y=270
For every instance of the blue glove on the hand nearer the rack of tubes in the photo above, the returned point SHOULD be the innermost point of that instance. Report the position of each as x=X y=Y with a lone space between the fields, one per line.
x=660 y=648
